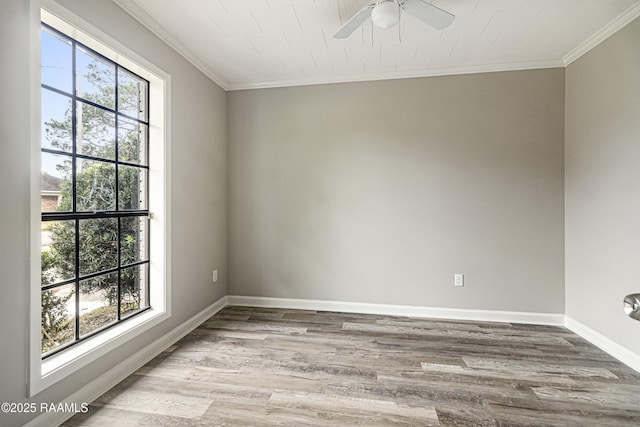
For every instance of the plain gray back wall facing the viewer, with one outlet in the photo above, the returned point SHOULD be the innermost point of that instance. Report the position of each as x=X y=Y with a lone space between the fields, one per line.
x=379 y=192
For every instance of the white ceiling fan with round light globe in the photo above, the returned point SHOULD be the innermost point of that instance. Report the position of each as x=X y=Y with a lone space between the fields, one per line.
x=386 y=14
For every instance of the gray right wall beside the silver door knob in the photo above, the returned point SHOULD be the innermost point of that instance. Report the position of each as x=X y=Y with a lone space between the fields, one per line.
x=602 y=185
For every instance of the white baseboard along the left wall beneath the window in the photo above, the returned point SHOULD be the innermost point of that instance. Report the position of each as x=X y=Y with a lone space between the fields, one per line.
x=109 y=379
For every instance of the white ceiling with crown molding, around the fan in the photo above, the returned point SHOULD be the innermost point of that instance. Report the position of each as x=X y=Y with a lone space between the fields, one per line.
x=266 y=43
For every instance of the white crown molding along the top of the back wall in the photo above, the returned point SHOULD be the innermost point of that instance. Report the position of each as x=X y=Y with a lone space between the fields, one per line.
x=427 y=72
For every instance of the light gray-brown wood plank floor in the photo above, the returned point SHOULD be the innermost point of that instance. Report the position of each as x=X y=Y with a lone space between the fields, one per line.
x=268 y=367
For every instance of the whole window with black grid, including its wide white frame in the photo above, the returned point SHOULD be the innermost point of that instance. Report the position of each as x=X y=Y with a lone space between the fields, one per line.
x=100 y=232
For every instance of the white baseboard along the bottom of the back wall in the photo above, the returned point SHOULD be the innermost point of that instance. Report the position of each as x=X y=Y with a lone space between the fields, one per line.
x=554 y=319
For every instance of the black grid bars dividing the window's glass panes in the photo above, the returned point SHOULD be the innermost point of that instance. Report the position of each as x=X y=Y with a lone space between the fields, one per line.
x=76 y=215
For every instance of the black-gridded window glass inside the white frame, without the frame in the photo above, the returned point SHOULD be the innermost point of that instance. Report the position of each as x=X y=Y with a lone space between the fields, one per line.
x=94 y=146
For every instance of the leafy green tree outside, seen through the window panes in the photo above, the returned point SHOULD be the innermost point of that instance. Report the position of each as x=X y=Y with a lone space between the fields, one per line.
x=95 y=185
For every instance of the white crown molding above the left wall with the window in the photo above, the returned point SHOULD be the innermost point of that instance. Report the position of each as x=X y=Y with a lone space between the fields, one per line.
x=152 y=25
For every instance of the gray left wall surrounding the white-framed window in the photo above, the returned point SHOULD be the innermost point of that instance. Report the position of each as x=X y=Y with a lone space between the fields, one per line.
x=198 y=166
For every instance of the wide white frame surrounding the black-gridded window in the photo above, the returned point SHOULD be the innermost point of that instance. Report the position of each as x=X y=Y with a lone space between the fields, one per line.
x=44 y=373
